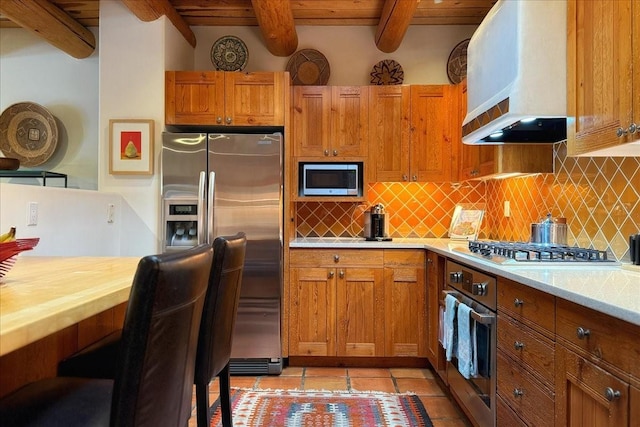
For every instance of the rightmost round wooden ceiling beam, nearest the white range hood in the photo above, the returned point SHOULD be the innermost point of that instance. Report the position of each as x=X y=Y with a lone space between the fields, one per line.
x=395 y=18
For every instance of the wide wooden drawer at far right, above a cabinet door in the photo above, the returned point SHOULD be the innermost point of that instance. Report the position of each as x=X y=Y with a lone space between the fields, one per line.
x=598 y=335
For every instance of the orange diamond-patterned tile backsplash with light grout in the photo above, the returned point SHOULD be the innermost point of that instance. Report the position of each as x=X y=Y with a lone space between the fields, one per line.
x=599 y=196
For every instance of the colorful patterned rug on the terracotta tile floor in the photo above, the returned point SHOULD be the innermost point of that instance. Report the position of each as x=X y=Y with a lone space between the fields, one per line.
x=263 y=408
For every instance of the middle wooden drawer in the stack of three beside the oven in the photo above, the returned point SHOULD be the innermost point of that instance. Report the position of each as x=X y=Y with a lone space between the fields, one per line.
x=527 y=347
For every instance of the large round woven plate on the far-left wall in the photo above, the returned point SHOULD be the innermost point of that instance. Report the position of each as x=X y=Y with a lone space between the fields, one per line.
x=28 y=132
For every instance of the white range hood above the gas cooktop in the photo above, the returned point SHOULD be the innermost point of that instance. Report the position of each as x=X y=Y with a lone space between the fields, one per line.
x=516 y=74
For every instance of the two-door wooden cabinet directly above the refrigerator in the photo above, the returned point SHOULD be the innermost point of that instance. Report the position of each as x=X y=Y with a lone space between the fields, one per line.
x=225 y=98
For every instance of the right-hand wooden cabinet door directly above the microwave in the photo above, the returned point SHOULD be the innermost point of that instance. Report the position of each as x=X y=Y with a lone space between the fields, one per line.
x=349 y=121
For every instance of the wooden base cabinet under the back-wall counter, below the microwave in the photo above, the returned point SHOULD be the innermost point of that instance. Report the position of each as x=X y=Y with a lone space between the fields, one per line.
x=367 y=303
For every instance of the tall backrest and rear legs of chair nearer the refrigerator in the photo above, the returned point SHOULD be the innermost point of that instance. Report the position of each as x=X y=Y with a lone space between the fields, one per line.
x=218 y=321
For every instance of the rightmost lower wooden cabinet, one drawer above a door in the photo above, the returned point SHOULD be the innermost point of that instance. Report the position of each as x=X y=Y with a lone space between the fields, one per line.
x=597 y=359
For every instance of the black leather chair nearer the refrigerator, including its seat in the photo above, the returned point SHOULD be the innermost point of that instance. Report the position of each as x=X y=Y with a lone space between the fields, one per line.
x=215 y=337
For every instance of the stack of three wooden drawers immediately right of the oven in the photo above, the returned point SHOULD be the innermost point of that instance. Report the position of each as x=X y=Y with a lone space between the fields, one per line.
x=526 y=353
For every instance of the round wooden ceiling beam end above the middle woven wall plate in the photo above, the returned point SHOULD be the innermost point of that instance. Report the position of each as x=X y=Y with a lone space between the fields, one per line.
x=275 y=19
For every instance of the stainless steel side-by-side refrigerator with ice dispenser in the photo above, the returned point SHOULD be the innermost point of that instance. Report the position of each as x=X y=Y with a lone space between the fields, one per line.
x=220 y=184
